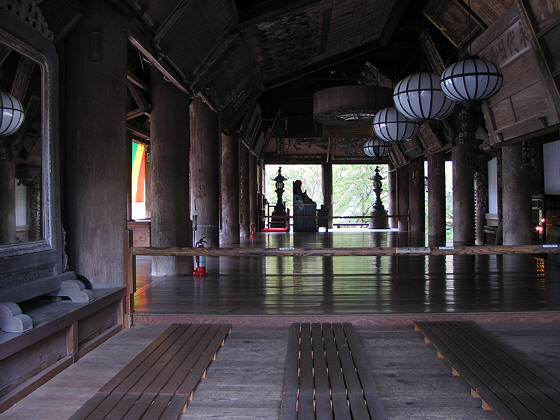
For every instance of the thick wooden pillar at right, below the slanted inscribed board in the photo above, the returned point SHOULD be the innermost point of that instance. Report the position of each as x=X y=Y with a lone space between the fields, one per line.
x=516 y=197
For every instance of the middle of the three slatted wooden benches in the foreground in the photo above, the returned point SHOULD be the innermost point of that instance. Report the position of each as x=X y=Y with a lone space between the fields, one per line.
x=327 y=375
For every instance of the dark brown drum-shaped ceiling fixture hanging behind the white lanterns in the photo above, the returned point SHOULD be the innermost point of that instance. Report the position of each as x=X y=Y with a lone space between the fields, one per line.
x=349 y=106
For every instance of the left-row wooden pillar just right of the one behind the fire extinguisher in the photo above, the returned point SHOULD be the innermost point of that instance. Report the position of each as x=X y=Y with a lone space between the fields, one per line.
x=230 y=190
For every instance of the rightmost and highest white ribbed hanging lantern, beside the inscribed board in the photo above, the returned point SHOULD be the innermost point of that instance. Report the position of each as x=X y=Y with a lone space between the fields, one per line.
x=471 y=79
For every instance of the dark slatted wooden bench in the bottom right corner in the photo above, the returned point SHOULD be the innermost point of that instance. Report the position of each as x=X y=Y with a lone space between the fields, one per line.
x=513 y=387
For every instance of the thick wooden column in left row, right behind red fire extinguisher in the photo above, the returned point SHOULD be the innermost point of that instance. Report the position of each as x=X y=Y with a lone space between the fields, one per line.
x=204 y=171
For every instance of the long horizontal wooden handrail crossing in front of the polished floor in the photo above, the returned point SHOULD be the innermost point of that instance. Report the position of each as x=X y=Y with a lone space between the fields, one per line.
x=341 y=252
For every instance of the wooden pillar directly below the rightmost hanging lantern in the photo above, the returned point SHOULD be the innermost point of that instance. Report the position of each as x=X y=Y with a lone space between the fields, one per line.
x=463 y=197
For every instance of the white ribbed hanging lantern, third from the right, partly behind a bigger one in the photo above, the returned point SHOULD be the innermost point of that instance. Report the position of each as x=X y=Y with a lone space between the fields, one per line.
x=391 y=126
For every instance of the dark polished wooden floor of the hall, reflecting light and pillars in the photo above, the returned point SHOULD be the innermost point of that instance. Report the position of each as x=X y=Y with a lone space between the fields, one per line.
x=357 y=288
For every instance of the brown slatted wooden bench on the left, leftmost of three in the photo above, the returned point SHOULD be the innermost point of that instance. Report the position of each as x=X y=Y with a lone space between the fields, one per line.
x=158 y=383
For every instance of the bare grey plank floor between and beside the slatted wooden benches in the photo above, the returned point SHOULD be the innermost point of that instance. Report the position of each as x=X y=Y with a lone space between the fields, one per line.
x=245 y=381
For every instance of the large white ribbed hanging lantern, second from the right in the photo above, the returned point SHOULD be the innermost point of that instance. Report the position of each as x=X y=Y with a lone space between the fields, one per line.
x=420 y=98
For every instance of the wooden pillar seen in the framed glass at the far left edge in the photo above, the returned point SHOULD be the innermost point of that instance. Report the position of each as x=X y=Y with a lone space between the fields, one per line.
x=8 y=200
